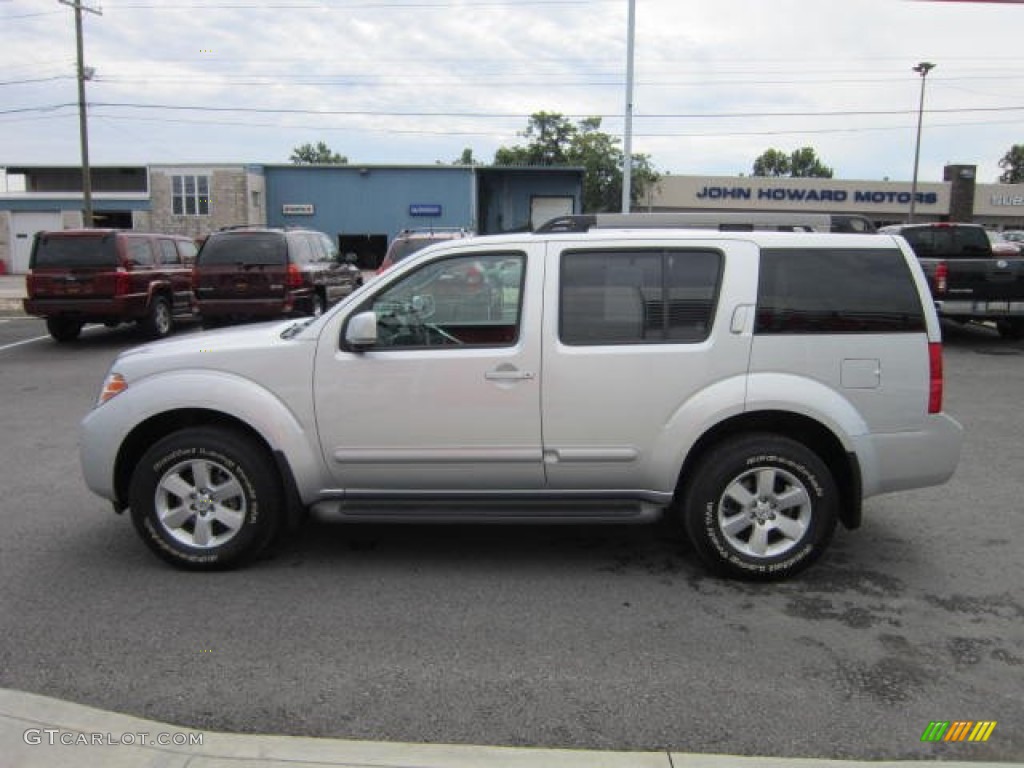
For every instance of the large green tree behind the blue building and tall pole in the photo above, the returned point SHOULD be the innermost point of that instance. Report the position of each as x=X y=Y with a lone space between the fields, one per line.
x=557 y=142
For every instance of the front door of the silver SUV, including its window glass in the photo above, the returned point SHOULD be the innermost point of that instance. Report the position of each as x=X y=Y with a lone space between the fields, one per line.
x=449 y=398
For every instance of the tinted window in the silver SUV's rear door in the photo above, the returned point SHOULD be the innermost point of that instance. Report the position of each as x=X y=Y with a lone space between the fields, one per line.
x=638 y=296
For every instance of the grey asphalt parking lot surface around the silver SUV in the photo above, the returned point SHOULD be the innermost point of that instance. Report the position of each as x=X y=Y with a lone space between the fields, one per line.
x=604 y=638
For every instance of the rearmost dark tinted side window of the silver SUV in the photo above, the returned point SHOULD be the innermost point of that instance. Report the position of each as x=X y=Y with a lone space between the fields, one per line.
x=836 y=291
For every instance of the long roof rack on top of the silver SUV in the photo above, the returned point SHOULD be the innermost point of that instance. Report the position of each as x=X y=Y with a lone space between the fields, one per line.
x=722 y=222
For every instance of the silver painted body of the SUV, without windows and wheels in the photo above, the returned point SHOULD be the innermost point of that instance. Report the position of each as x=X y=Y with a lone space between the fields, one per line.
x=536 y=429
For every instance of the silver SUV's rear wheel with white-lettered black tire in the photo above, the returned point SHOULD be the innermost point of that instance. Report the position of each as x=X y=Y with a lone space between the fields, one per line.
x=760 y=507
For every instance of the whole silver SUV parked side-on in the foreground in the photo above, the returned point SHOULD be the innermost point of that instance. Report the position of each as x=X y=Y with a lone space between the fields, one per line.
x=757 y=387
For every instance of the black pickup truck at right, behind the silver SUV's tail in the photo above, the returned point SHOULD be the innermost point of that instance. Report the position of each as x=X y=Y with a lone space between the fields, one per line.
x=968 y=280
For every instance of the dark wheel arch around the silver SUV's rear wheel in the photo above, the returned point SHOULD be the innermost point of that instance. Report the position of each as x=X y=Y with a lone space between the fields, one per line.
x=817 y=437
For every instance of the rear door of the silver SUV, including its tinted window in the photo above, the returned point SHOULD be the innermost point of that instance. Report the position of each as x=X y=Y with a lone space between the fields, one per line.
x=638 y=331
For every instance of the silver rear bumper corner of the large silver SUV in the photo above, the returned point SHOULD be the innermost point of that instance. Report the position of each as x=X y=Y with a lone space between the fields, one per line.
x=902 y=461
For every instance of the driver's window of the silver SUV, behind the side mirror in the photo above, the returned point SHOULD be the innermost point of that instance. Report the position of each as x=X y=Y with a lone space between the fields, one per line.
x=472 y=301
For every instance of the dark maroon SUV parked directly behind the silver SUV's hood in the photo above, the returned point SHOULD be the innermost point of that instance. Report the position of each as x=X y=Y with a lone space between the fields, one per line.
x=257 y=273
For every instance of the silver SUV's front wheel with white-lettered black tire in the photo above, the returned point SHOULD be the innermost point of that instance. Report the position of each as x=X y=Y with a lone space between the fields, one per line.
x=207 y=499
